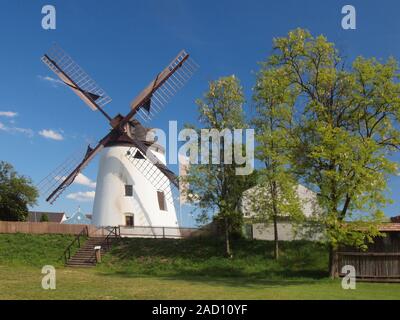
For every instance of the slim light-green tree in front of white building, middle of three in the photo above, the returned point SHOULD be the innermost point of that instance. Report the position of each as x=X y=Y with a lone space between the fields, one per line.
x=276 y=194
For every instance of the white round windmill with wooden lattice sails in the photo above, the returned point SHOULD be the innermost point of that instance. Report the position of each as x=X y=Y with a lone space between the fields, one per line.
x=134 y=186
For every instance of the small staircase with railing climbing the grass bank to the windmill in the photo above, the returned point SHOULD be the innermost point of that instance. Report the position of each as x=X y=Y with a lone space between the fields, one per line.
x=85 y=256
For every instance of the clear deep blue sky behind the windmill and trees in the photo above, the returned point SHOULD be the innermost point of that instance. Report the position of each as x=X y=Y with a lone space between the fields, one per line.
x=123 y=44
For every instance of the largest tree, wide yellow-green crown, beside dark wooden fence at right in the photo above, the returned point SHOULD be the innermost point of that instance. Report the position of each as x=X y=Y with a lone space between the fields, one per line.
x=346 y=129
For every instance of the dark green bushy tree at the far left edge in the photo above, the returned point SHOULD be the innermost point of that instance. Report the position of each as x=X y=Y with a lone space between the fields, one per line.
x=16 y=194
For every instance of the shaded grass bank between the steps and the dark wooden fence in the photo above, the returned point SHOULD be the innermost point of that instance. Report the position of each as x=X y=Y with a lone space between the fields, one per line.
x=202 y=260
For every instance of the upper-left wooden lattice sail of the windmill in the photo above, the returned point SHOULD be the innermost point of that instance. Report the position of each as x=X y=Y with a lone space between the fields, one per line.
x=76 y=78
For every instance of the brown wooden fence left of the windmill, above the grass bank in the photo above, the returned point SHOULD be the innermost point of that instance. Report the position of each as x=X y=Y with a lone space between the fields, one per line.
x=42 y=228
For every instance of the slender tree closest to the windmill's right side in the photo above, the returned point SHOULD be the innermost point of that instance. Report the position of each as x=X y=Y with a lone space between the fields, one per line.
x=217 y=186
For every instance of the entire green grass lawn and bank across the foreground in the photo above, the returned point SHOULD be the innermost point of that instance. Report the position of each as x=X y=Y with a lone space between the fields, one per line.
x=177 y=269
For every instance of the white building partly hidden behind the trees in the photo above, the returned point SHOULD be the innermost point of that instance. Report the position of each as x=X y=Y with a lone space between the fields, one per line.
x=286 y=229
